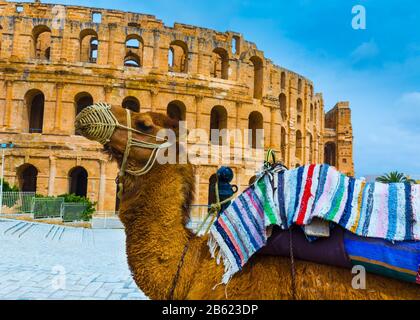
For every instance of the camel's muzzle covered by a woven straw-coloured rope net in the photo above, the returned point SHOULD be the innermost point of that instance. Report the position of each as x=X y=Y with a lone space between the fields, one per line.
x=96 y=123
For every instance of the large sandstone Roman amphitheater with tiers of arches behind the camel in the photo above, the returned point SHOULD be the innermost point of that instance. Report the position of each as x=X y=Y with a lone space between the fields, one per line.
x=55 y=60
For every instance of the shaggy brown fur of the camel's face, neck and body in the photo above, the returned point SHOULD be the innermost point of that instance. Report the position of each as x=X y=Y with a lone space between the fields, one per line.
x=154 y=210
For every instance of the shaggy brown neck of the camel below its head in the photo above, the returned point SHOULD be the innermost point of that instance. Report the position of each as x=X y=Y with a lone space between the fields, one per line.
x=154 y=211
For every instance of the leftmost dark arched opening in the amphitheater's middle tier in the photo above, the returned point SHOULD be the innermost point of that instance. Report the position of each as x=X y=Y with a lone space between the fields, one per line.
x=35 y=100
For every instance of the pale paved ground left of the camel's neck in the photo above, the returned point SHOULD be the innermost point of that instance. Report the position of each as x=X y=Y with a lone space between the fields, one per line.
x=39 y=261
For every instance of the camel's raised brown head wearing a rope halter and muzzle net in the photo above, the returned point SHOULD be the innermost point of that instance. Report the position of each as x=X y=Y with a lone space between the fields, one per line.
x=130 y=138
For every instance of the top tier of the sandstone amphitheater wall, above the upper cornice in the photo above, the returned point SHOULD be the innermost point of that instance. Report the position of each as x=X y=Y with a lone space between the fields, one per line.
x=21 y=23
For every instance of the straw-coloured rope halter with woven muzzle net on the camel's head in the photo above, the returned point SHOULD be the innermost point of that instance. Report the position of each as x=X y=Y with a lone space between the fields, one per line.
x=97 y=122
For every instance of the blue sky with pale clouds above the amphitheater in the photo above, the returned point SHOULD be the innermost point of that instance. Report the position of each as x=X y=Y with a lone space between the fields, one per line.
x=376 y=69
